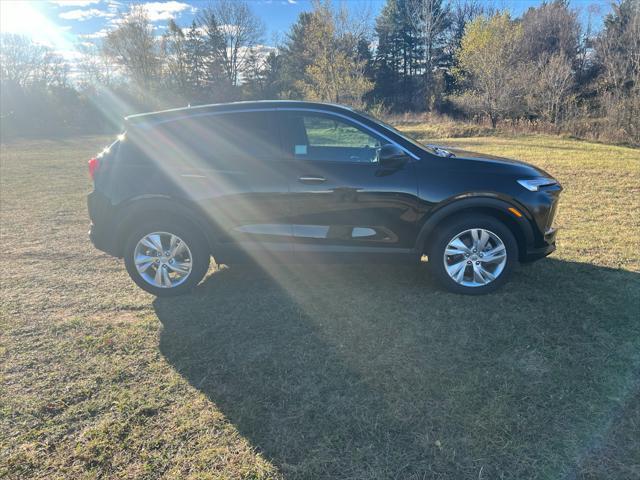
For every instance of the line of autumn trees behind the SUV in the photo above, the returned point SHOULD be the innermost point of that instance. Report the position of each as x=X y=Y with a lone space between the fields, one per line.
x=454 y=57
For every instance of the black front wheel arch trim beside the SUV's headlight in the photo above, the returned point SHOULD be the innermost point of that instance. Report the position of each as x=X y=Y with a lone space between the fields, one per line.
x=494 y=207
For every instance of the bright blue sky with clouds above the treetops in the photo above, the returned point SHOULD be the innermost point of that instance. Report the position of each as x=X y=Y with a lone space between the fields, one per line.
x=63 y=24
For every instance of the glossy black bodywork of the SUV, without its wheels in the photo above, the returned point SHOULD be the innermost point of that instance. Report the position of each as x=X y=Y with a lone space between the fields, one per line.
x=235 y=171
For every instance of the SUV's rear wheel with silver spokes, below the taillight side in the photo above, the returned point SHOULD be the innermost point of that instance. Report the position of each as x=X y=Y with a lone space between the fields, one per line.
x=165 y=230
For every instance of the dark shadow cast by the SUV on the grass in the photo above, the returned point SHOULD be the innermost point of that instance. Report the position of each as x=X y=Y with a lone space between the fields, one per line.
x=371 y=372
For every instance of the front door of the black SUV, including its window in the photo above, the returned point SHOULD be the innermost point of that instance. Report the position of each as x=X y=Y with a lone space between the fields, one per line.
x=342 y=200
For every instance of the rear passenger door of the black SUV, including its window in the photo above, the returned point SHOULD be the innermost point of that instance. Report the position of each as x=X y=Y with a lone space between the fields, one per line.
x=232 y=165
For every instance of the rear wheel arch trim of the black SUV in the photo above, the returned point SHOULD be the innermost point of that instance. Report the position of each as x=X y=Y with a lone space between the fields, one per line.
x=160 y=207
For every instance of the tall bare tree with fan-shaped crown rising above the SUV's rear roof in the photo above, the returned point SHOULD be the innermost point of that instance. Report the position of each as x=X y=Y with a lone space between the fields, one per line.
x=237 y=30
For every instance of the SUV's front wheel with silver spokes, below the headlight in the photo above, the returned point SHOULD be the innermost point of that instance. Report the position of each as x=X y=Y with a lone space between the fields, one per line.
x=469 y=228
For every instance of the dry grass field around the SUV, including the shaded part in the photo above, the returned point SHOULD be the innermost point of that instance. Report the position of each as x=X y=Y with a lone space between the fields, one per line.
x=321 y=372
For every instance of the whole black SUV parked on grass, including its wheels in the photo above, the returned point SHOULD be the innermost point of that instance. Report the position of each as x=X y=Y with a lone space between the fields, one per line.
x=308 y=182
